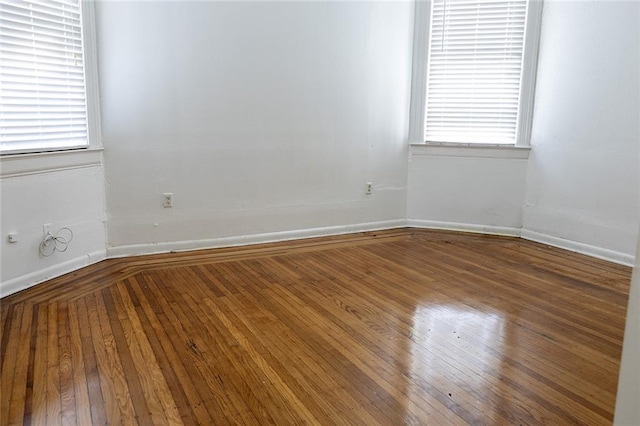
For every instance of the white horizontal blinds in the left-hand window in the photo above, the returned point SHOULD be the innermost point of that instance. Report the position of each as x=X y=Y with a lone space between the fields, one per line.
x=42 y=86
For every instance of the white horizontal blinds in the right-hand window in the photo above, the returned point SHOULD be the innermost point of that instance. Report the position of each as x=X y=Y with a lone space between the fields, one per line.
x=474 y=70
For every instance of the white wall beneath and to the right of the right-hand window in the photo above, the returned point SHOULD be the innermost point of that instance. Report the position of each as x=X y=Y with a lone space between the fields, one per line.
x=580 y=188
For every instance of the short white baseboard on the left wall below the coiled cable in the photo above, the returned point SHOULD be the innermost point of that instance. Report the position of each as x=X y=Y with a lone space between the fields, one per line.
x=29 y=280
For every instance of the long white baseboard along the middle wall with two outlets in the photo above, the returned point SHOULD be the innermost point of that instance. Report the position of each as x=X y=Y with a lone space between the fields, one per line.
x=241 y=240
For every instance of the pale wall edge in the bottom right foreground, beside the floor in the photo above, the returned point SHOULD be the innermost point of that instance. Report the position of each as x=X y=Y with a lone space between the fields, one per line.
x=628 y=399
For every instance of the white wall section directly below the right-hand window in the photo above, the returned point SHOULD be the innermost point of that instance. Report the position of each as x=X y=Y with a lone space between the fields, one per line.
x=468 y=191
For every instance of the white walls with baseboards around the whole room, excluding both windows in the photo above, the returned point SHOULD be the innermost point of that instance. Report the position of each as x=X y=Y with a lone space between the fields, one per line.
x=266 y=119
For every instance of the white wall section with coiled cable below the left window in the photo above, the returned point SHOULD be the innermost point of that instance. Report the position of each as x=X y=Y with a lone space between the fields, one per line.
x=69 y=198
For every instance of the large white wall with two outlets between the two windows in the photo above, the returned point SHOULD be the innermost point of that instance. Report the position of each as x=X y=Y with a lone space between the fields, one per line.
x=258 y=117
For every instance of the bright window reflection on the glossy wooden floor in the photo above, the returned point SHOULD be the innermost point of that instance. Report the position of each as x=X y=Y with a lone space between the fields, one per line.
x=449 y=357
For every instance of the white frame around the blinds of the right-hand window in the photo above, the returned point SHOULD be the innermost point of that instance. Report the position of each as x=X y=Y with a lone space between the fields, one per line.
x=419 y=77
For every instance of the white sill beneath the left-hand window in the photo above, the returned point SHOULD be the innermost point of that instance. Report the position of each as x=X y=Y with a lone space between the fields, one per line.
x=13 y=165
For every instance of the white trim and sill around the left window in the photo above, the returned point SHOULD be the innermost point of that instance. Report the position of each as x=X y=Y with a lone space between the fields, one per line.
x=38 y=162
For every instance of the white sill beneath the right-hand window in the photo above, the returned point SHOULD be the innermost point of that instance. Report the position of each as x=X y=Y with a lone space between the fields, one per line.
x=470 y=150
